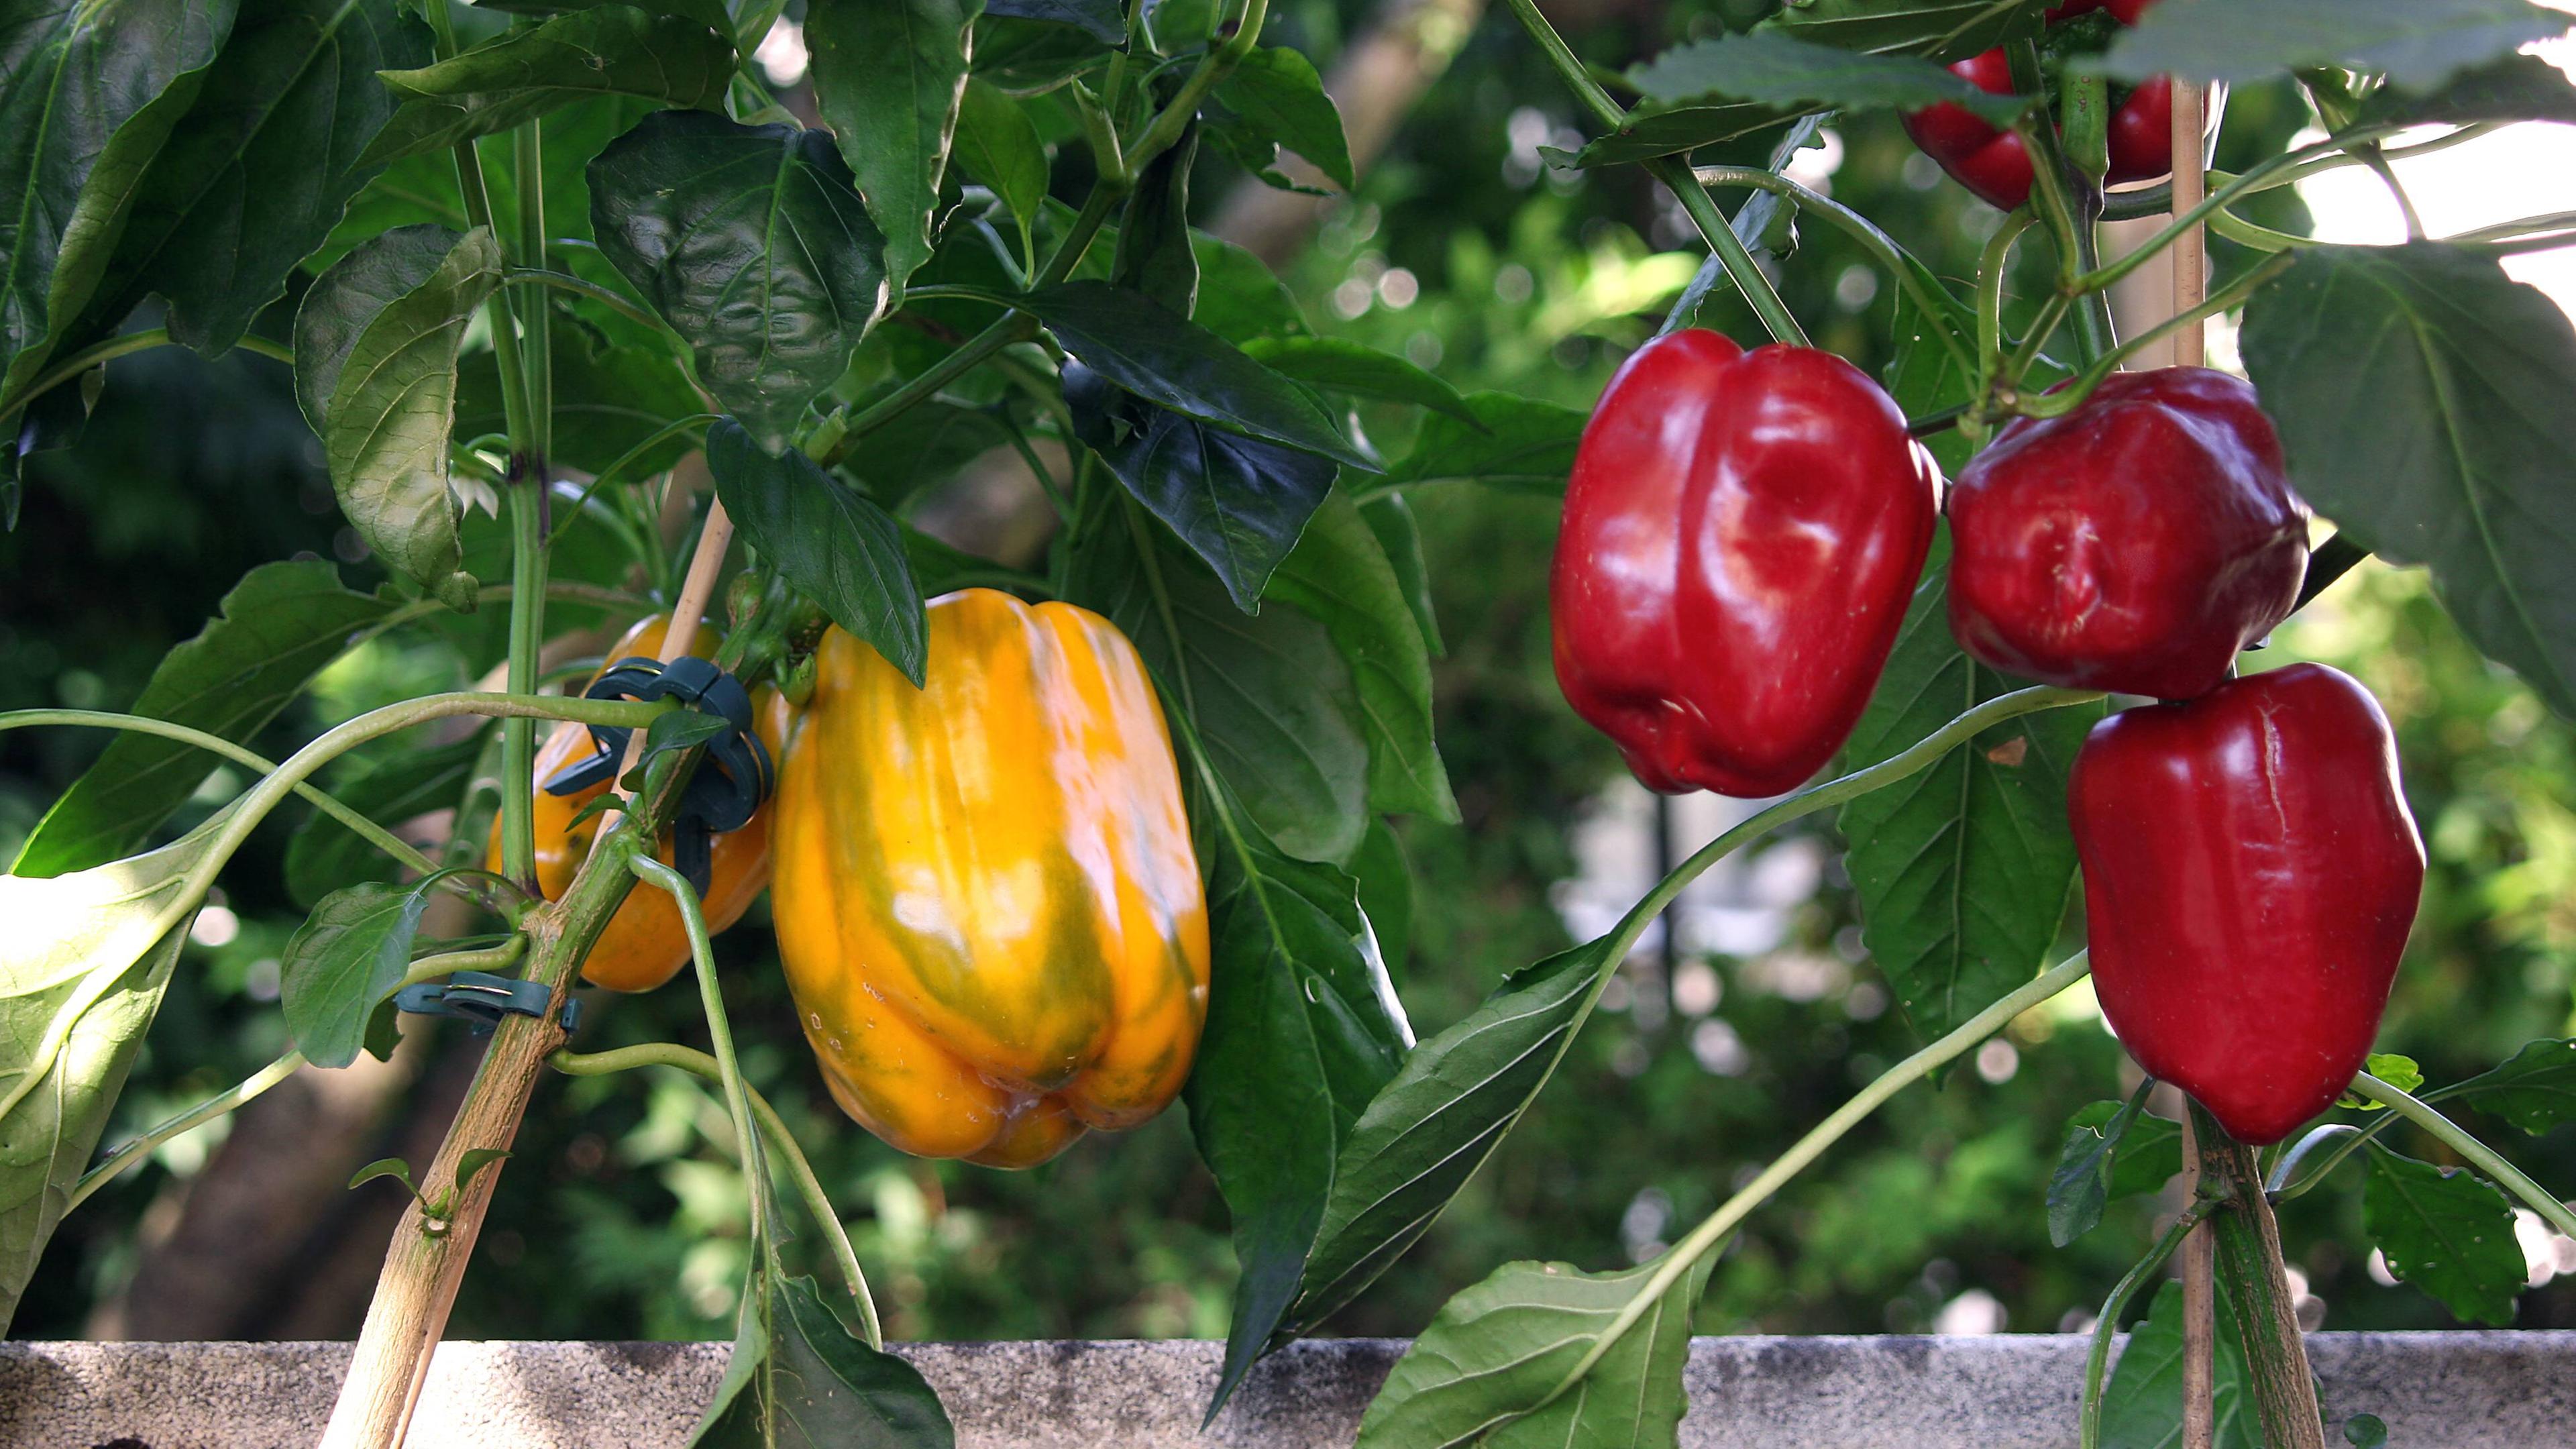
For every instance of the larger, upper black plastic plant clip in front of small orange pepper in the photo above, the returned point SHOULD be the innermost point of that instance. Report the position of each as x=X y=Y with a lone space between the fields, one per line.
x=730 y=783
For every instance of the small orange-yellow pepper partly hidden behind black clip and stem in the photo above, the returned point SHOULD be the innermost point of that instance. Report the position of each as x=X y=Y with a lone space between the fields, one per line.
x=645 y=942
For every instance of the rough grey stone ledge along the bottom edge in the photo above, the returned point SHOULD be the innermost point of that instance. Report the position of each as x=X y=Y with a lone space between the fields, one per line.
x=2438 y=1391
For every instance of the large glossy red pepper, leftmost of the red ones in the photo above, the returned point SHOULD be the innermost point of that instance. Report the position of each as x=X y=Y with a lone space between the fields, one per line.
x=1740 y=543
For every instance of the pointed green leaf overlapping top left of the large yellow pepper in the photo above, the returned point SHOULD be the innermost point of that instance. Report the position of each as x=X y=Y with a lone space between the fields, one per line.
x=838 y=548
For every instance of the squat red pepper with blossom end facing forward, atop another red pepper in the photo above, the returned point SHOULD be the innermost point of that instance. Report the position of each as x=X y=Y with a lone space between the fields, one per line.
x=2134 y=545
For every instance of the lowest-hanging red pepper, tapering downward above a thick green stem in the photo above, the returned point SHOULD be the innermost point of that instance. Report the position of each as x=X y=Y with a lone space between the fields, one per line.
x=2250 y=875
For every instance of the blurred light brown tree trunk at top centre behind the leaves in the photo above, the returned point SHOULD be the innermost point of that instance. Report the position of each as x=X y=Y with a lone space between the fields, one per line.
x=1377 y=84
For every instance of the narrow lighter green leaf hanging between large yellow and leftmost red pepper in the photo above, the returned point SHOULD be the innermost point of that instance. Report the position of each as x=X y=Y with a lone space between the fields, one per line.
x=1341 y=576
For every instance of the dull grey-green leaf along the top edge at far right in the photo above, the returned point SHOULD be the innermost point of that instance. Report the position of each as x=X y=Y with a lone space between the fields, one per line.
x=2418 y=43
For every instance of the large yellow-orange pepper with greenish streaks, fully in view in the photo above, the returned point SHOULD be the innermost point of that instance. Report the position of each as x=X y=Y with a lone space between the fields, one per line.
x=985 y=891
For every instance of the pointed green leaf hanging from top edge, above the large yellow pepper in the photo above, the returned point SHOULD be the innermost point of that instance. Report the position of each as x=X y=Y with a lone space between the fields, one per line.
x=887 y=79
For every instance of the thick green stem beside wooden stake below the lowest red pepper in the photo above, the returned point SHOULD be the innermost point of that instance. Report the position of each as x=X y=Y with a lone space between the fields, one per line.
x=2248 y=1241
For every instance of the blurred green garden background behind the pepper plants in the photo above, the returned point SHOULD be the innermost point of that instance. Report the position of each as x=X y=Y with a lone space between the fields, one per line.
x=1470 y=254
